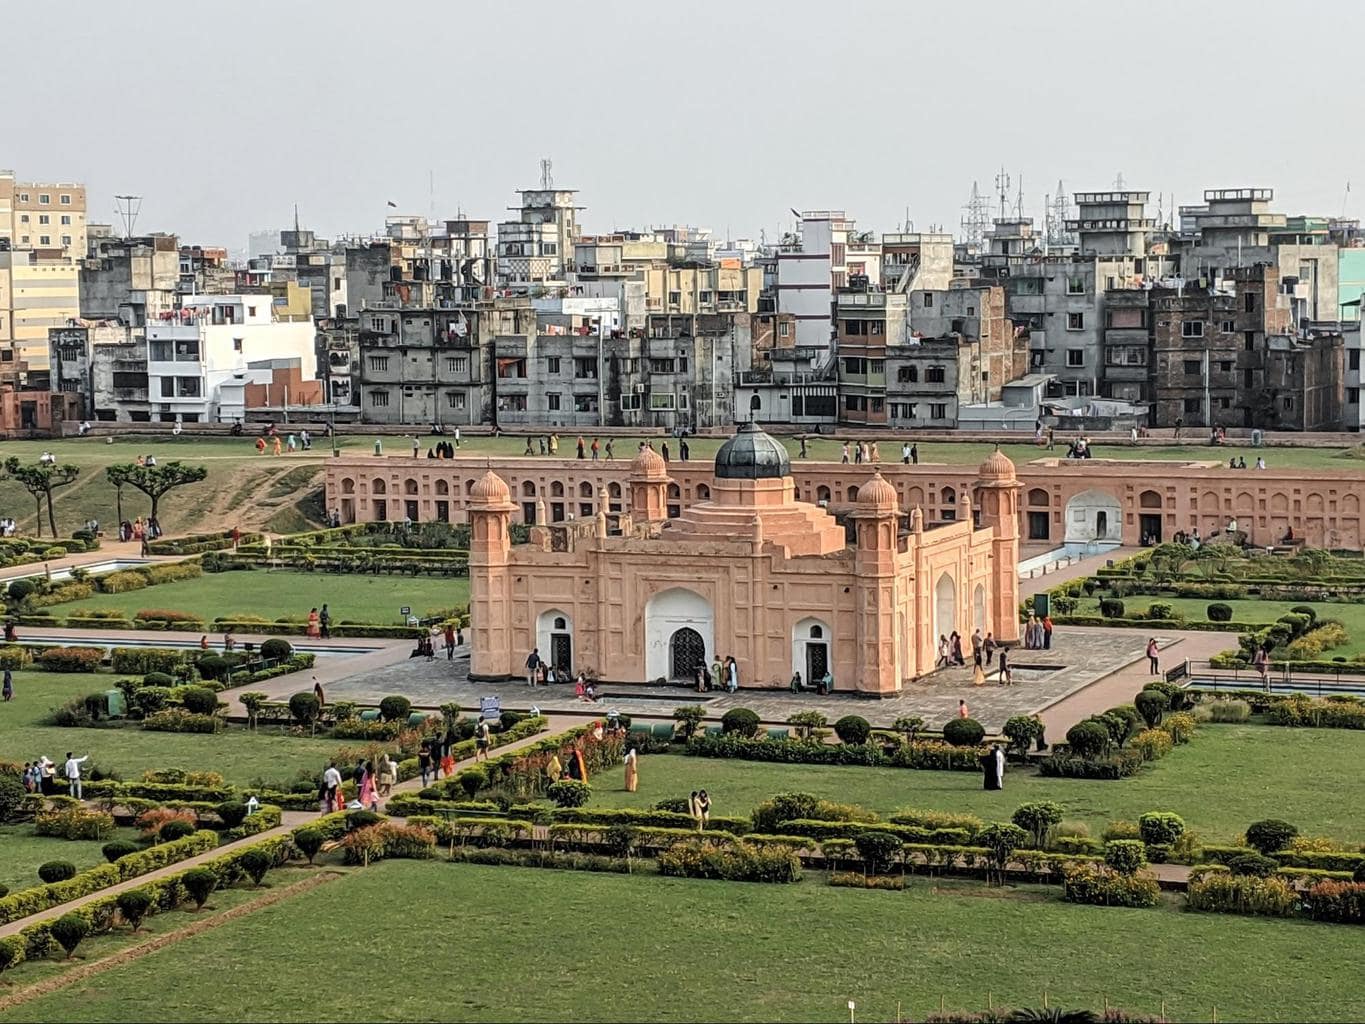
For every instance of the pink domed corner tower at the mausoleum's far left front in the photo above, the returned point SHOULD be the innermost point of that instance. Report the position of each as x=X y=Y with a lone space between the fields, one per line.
x=491 y=578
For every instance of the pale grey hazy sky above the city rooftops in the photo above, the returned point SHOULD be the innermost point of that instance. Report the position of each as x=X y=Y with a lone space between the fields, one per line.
x=717 y=114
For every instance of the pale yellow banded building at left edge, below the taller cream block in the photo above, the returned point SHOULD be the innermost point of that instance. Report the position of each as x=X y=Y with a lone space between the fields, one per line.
x=36 y=296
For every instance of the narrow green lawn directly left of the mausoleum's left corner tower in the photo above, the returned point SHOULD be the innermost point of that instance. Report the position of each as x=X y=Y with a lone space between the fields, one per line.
x=279 y=593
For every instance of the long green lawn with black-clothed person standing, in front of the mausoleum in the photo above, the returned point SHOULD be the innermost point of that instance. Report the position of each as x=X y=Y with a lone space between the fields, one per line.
x=1228 y=778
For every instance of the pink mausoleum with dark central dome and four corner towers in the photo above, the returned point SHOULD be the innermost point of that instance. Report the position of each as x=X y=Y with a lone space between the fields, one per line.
x=750 y=571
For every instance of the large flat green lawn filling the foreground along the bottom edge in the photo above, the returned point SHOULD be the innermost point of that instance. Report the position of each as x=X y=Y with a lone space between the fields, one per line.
x=432 y=941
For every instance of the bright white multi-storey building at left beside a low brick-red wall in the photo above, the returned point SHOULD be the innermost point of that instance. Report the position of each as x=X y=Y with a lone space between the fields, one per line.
x=203 y=358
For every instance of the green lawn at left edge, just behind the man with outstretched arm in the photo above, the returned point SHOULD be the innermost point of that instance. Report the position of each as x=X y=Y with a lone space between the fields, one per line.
x=242 y=757
